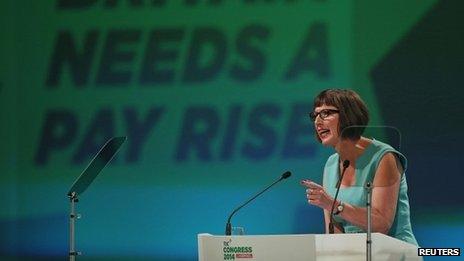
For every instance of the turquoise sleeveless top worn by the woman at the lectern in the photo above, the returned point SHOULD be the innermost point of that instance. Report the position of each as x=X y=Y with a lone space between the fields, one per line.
x=366 y=166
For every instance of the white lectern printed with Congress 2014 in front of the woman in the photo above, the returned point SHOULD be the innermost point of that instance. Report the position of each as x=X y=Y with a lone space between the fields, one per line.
x=305 y=247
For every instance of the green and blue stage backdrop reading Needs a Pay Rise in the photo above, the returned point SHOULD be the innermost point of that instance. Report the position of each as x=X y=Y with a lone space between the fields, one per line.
x=213 y=97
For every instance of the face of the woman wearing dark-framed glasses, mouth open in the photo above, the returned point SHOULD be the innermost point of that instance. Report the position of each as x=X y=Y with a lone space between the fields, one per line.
x=326 y=124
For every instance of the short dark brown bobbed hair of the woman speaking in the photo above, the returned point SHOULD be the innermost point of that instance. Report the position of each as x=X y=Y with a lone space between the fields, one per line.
x=352 y=111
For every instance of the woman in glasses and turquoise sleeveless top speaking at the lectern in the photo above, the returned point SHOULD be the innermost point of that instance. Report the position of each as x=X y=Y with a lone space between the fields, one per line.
x=334 y=111
